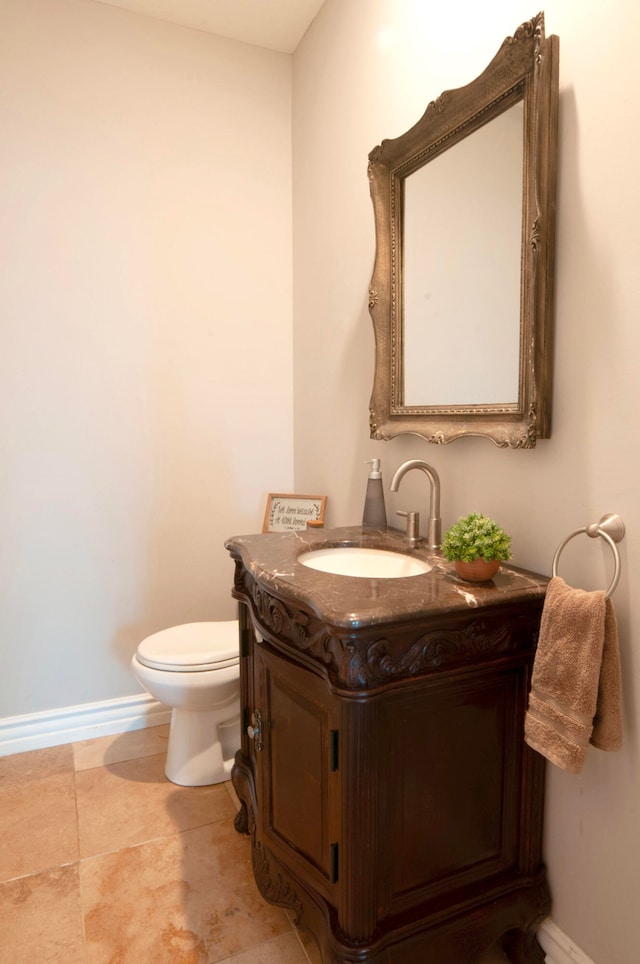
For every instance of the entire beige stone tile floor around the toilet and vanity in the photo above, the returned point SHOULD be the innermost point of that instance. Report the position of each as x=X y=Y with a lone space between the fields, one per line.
x=103 y=861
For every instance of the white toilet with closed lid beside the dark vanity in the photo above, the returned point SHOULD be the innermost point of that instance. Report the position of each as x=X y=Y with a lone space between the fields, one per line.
x=195 y=670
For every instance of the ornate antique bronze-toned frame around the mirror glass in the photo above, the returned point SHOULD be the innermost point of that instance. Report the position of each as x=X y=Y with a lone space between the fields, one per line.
x=524 y=71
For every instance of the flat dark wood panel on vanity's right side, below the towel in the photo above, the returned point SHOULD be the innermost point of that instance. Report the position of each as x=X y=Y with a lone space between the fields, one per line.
x=456 y=785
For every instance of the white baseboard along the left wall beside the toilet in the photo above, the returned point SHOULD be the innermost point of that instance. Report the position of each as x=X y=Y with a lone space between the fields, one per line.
x=84 y=722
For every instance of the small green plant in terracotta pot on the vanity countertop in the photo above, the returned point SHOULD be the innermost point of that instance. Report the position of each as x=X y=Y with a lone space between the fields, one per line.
x=476 y=545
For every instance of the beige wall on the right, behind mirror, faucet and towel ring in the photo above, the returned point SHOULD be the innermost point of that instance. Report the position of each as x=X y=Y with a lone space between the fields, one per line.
x=365 y=71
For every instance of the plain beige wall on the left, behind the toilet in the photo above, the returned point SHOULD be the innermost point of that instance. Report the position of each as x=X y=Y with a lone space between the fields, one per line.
x=146 y=343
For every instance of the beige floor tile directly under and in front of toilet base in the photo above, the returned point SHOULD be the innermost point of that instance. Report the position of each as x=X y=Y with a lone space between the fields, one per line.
x=131 y=802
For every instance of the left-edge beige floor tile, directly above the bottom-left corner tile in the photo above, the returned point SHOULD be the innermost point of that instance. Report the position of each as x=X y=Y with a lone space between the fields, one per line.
x=39 y=828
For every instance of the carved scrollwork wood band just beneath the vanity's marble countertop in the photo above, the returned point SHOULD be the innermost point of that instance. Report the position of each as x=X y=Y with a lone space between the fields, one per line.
x=368 y=658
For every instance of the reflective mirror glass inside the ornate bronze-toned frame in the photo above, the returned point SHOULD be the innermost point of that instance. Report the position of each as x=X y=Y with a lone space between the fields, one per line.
x=448 y=205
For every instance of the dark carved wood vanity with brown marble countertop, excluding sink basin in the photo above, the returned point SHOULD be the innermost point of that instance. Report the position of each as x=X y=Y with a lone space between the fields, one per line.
x=391 y=800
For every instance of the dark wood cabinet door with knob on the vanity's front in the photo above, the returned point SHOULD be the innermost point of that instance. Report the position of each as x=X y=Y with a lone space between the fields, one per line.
x=298 y=767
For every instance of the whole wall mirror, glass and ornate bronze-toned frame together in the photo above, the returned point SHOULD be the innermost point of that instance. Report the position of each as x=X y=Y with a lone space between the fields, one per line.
x=461 y=296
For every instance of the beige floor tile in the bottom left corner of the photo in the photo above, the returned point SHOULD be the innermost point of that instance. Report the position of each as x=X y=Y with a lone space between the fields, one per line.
x=41 y=920
